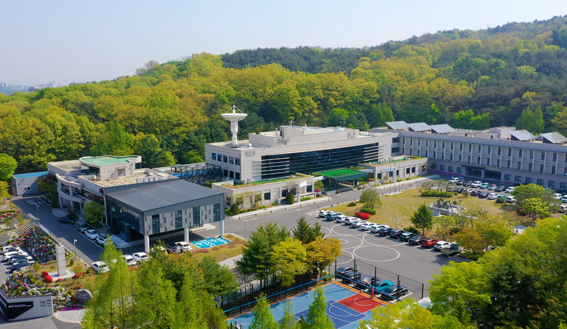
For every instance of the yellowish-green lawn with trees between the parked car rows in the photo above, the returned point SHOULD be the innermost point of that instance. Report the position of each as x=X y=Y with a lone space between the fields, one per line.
x=397 y=209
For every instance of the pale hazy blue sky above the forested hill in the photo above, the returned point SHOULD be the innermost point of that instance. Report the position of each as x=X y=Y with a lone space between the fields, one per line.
x=42 y=41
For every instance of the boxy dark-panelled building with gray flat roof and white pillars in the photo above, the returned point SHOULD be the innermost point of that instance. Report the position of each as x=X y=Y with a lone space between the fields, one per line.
x=166 y=207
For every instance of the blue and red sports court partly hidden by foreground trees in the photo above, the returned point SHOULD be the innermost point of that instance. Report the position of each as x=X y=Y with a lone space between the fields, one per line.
x=336 y=296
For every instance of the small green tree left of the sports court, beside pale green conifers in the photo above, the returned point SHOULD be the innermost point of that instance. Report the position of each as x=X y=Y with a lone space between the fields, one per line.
x=220 y=279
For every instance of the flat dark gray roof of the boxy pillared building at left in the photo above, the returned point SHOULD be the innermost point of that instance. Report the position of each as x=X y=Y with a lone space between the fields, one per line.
x=159 y=195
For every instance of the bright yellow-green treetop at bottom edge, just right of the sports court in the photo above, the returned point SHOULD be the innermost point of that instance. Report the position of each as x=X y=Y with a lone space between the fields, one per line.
x=405 y=314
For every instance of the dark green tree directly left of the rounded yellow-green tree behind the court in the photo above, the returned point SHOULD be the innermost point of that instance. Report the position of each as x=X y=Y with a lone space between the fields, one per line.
x=256 y=255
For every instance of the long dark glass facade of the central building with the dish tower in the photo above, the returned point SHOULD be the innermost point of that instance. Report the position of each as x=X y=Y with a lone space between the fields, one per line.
x=283 y=165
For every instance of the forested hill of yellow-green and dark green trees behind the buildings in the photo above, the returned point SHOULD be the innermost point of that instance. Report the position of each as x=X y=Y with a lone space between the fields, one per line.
x=509 y=75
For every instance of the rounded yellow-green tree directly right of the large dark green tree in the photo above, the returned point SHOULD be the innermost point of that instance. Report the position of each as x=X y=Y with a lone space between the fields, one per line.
x=289 y=259
